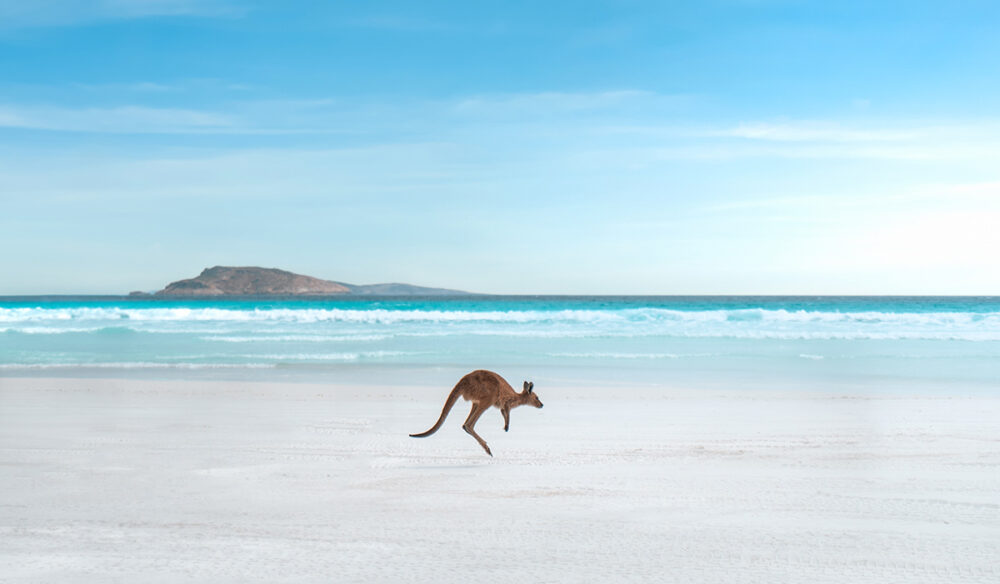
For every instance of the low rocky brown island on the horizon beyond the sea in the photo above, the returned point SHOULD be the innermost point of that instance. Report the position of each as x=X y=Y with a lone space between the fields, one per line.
x=253 y=281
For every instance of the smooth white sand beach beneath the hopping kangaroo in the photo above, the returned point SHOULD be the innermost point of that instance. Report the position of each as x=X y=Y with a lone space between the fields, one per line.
x=117 y=480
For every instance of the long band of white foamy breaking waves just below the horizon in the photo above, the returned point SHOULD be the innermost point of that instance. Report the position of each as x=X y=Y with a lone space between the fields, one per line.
x=321 y=324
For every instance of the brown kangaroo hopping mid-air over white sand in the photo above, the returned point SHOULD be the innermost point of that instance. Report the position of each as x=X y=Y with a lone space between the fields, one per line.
x=485 y=389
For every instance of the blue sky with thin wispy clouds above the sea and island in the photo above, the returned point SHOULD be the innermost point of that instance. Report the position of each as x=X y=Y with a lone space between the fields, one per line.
x=510 y=147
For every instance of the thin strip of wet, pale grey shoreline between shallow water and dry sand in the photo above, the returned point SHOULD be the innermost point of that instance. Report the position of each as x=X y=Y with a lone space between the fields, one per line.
x=604 y=376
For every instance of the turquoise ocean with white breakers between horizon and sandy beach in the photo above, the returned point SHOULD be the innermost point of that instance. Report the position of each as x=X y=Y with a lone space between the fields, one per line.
x=754 y=342
